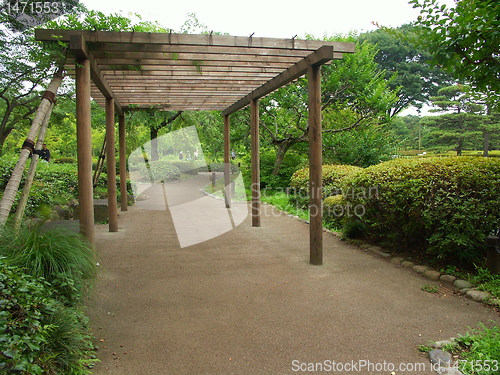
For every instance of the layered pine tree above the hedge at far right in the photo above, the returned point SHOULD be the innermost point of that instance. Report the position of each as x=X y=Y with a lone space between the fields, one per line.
x=461 y=126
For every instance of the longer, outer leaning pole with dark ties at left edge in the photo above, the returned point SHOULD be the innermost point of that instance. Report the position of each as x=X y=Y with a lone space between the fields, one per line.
x=14 y=181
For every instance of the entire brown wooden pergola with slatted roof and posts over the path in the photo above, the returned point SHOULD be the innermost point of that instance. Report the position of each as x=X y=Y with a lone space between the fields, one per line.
x=129 y=71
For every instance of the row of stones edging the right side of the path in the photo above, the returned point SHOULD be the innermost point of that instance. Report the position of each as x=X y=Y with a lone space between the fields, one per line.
x=463 y=287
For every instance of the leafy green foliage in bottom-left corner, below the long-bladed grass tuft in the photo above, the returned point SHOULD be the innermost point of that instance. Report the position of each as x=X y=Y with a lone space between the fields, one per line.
x=38 y=334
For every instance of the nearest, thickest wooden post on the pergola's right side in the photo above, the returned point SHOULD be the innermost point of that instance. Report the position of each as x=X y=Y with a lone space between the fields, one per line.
x=315 y=165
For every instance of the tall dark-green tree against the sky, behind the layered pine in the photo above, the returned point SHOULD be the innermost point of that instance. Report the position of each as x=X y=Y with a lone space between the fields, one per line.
x=407 y=67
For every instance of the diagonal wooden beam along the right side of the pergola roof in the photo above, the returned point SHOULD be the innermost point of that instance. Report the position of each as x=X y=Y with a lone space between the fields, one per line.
x=318 y=57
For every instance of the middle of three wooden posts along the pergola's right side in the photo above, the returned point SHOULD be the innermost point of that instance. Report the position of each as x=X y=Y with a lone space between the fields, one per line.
x=254 y=132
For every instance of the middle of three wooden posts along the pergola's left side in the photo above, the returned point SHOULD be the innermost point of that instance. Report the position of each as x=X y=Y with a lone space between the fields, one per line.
x=111 y=165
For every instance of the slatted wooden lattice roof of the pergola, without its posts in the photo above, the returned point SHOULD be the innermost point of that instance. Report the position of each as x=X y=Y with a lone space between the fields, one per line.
x=190 y=72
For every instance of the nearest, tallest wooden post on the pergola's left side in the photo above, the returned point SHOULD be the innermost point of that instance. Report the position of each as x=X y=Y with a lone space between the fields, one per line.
x=84 y=145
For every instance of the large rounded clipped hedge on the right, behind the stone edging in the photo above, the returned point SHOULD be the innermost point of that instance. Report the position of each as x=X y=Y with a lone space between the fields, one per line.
x=442 y=206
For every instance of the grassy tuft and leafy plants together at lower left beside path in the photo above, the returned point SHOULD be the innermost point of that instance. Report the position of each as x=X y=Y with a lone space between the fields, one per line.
x=44 y=276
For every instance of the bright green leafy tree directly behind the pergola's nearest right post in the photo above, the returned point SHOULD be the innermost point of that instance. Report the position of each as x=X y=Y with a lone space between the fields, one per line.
x=355 y=93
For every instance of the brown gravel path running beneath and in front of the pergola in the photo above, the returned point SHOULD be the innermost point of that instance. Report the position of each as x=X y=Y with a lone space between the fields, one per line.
x=249 y=302
